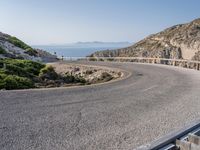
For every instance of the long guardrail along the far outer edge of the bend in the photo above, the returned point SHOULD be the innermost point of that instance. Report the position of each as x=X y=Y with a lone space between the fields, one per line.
x=174 y=62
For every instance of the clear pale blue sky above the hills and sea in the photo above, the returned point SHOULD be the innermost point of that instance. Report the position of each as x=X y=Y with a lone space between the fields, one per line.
x=66 y=21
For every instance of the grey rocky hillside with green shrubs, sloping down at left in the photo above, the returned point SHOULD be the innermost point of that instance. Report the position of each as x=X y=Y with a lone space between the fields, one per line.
x=11 y=47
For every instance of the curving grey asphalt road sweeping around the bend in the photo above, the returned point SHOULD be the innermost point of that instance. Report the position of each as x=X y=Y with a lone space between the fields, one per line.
x=122 y=115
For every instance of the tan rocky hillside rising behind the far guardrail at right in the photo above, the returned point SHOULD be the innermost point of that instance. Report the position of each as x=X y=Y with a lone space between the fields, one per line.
x=178 y=42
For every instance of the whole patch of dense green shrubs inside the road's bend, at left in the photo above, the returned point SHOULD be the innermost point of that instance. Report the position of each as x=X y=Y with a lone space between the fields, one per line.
x=24 y=74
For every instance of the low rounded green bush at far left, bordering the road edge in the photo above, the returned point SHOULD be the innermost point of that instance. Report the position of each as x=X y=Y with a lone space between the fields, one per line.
x=16 y=82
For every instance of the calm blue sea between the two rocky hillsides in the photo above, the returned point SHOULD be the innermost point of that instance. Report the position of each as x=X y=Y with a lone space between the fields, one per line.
x=72 y=51
